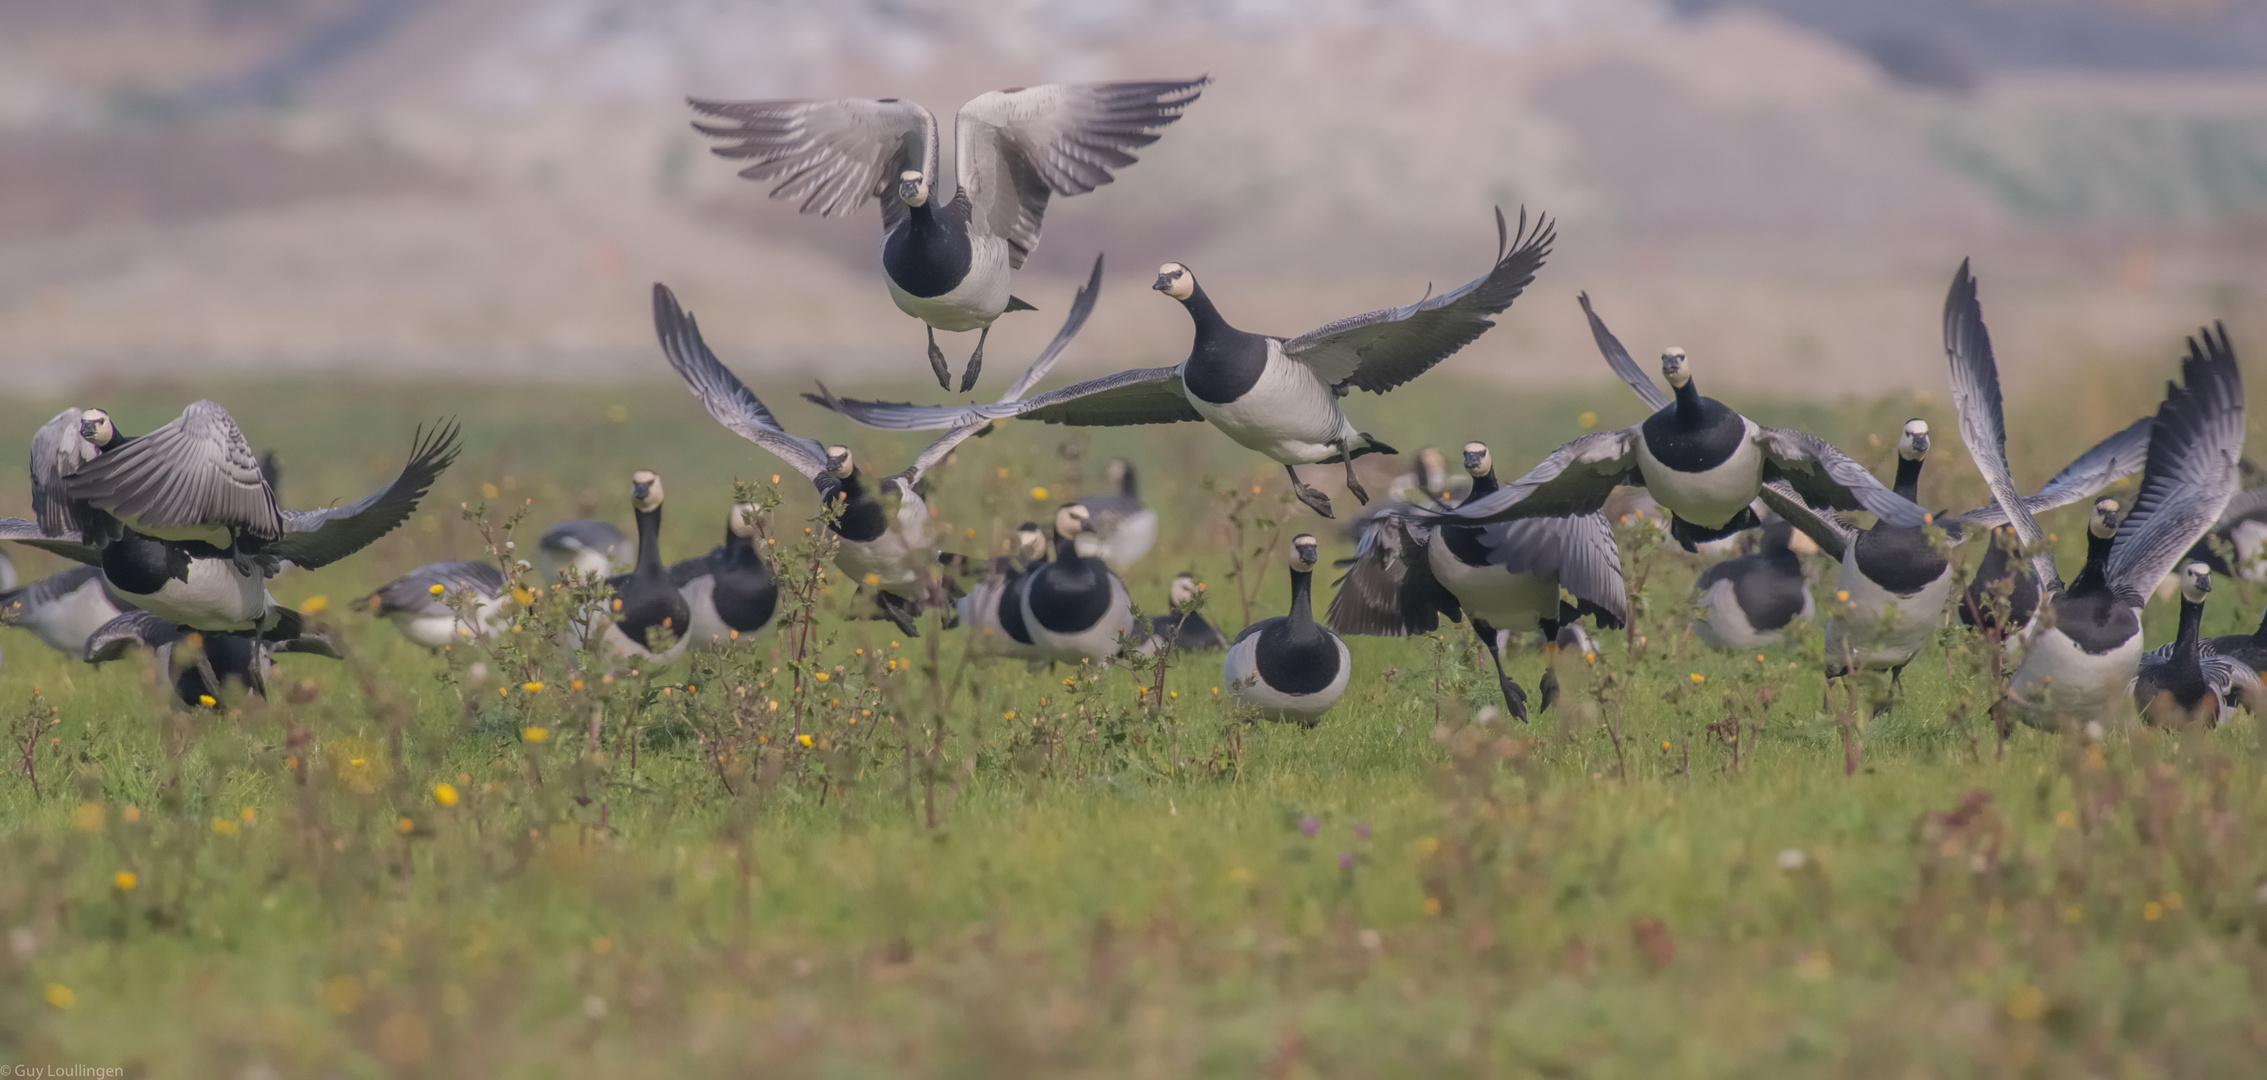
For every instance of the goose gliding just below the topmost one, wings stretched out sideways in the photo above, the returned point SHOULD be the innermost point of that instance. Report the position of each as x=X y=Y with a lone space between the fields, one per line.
x=1275 y=396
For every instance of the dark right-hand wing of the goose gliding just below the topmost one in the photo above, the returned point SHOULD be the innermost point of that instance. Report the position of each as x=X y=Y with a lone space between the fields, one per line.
x=1389 y=348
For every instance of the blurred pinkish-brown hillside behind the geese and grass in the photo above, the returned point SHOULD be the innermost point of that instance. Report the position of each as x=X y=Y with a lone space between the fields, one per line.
x=489 y=187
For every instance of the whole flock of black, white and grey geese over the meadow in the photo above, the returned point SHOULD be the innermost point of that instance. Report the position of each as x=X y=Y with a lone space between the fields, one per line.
x=180 y=530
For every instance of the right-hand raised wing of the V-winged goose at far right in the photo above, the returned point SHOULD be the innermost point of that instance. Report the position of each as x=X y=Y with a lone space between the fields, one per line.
x=2193 y=448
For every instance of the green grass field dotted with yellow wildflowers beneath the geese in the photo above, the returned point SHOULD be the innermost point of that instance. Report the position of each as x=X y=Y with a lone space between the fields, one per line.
x=971 y=870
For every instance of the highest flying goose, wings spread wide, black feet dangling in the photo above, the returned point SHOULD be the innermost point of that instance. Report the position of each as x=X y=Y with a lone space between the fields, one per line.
x=949 y=244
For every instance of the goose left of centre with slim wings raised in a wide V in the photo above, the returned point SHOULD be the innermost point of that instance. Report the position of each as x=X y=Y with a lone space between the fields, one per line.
x=897 y=562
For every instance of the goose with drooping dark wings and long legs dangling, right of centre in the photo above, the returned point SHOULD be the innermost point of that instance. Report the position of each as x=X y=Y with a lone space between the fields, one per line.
x=1504 y=577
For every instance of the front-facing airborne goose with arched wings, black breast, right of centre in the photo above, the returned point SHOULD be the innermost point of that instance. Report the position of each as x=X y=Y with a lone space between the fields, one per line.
x=1697 y=457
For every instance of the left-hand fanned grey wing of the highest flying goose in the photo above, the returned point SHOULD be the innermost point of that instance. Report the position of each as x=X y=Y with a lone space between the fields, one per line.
x=831 y=158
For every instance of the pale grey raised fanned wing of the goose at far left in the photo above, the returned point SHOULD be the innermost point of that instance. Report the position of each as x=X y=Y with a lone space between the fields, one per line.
x=189 y=473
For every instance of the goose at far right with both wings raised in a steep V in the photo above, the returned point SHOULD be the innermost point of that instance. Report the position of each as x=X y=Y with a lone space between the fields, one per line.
x=2082 y=657
